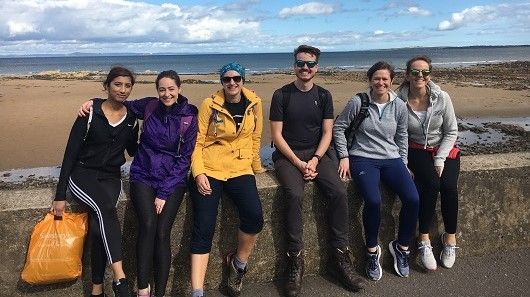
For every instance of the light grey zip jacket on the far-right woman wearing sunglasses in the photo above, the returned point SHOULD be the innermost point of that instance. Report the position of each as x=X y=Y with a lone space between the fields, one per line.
x=440 y=128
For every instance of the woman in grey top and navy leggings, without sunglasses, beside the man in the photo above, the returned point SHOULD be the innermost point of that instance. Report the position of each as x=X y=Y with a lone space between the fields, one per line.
x=379 y=153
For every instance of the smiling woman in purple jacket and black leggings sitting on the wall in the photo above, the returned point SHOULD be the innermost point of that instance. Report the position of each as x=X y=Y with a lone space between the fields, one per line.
x=158 y=175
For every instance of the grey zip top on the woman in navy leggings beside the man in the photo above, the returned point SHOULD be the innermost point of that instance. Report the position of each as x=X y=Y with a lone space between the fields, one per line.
x=380 y=135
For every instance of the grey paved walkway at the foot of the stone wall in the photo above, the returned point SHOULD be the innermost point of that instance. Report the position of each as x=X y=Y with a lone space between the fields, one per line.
x=503 y=274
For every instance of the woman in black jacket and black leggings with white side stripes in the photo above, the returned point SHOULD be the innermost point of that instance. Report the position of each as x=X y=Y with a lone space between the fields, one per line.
x=91 y=169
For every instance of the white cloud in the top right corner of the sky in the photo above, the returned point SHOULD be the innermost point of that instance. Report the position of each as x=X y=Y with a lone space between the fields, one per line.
x=481 y=15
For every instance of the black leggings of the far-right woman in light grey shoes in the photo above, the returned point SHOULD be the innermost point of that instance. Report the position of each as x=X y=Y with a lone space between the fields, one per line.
x=429 y=185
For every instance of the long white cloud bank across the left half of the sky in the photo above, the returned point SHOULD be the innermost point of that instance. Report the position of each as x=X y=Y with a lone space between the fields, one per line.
x=115 y=21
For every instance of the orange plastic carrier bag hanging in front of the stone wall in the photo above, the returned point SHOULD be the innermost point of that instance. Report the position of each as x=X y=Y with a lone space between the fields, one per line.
x=55 y=249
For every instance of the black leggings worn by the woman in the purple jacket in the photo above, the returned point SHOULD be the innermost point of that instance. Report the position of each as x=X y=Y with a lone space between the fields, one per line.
x=154 y=234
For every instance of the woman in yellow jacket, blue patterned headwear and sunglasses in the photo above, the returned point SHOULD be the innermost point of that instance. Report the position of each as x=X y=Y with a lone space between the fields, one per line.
x=225 y=158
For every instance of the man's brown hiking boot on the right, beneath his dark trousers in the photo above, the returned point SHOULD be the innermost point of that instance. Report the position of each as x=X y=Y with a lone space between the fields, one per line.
x=341 y=267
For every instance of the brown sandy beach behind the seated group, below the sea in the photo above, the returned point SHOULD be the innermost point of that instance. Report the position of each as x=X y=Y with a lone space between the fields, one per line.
x=37 y=112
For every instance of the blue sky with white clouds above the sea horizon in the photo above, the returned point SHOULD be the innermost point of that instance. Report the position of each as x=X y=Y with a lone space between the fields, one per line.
x=29 y=27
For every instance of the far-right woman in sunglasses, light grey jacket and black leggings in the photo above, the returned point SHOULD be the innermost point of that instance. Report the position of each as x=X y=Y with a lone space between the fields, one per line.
x=433 y=157
